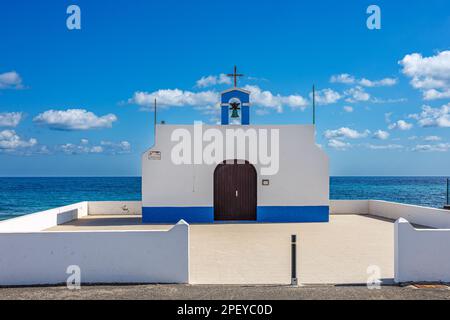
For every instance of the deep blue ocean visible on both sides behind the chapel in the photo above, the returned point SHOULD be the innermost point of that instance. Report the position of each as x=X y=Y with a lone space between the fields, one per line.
x=20 y=196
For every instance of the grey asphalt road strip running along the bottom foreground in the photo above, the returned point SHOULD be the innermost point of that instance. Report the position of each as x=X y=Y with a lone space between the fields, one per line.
x=205 y=292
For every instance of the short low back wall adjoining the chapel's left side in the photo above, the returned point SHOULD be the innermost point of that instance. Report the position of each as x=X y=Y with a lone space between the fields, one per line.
x=115 y=207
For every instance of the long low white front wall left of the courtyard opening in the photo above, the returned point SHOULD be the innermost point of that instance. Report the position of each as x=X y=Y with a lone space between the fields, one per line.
x=103 y=256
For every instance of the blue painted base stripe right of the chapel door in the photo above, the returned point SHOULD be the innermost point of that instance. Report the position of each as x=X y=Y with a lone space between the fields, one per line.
x=293 y=214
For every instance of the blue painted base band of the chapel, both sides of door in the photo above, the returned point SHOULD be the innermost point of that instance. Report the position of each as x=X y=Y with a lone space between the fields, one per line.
x=264 y=214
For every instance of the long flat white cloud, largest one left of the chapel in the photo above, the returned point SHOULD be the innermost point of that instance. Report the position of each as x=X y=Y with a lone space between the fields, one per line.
x=74 y=119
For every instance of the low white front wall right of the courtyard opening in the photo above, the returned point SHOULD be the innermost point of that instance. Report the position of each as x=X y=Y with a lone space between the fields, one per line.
x=421 y=255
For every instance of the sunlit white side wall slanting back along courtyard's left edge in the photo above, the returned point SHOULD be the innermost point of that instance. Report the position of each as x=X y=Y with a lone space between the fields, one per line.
x=45 y=219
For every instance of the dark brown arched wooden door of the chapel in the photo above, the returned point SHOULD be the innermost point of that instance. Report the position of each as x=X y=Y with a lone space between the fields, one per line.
x=235 y=191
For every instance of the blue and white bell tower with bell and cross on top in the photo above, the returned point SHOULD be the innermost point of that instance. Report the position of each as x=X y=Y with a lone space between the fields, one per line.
x=235 y=103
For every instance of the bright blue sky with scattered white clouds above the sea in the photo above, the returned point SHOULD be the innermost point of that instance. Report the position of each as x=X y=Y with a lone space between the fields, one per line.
x=72 y=102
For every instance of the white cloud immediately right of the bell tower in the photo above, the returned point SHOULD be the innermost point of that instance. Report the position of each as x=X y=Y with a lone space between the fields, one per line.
x=267 y=100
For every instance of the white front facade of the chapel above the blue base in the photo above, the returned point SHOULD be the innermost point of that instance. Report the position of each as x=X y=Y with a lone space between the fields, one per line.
x=302 y=180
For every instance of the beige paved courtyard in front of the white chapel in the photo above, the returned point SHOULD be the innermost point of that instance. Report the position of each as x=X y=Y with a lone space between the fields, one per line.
x=338 y=252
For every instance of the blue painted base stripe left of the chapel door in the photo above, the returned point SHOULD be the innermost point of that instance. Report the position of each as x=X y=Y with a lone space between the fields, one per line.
x=175 y=214
